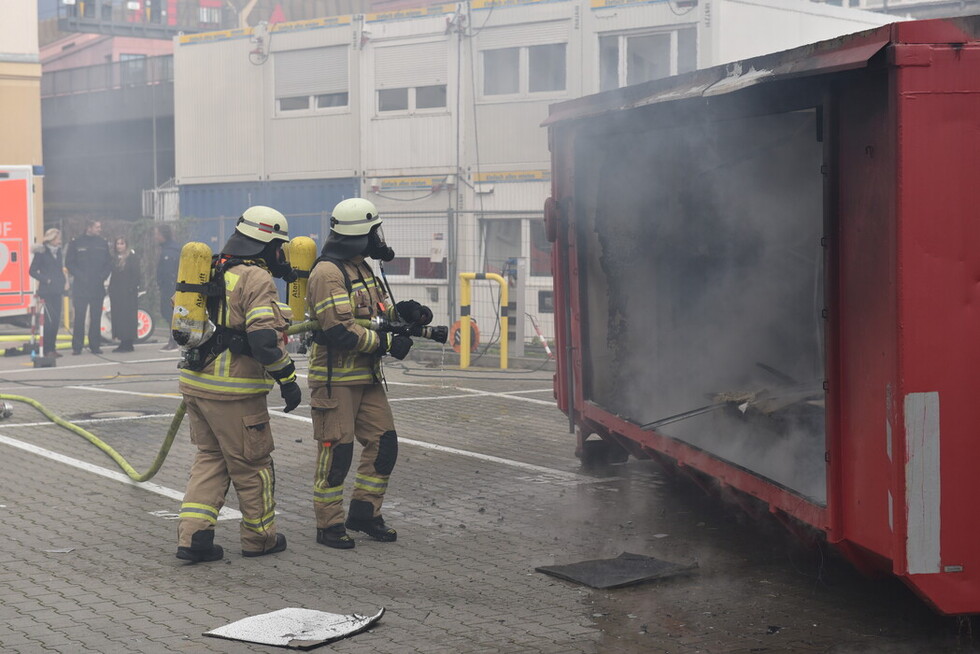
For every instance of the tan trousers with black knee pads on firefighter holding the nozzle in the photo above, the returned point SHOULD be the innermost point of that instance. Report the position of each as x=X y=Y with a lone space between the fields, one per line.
x=360 y=412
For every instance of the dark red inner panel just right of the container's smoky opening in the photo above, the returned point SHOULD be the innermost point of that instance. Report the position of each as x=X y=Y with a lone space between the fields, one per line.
x=865 y=311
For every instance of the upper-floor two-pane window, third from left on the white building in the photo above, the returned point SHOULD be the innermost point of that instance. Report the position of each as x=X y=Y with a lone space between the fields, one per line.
x=532 y=69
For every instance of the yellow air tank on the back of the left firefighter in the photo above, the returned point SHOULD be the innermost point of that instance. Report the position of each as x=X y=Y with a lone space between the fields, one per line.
x=190 y=323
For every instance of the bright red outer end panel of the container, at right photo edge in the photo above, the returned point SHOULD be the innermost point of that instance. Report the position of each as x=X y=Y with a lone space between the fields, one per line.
x=939 y=268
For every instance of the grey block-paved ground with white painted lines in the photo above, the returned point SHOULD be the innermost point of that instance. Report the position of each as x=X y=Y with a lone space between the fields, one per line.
x=485 y=490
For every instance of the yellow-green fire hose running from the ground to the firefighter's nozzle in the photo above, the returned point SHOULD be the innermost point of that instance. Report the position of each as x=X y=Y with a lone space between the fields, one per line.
x=433 y=333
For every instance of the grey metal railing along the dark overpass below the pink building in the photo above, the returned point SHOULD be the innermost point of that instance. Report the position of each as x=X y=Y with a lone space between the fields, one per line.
x=101 y=77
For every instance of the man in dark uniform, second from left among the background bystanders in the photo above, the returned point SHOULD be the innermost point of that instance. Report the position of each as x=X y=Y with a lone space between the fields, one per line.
x=89 y=263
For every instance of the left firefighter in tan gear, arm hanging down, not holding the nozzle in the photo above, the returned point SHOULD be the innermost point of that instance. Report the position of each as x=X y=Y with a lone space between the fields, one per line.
x=225 y=382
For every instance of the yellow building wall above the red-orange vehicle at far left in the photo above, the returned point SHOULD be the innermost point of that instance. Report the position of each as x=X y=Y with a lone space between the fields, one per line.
x=20 y=126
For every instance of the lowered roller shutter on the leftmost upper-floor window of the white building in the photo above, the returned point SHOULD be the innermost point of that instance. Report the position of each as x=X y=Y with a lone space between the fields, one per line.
x=311 y=72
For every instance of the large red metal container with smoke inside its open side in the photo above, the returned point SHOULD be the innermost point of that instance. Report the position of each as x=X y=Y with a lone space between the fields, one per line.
x=769 y=273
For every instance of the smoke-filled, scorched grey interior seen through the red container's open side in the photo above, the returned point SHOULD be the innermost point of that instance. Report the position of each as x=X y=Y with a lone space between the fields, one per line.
x=702 y=274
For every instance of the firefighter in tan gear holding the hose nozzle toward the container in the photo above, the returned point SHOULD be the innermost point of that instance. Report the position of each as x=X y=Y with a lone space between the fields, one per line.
x=346 y=392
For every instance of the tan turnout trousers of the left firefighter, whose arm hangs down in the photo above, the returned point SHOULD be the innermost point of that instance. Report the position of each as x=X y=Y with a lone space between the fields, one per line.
x=234 y=446
